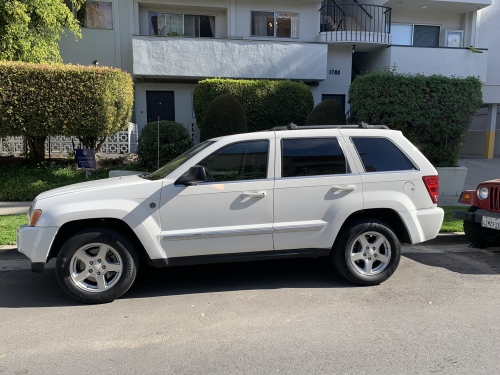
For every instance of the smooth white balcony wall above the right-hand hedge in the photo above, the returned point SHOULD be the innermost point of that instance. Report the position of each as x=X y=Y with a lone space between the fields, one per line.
x=459 y=62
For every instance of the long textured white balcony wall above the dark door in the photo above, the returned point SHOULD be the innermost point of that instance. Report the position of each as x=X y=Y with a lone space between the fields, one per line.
x=199 y=58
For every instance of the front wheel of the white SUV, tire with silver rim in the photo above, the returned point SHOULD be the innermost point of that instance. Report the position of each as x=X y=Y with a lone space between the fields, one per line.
x=119 y=253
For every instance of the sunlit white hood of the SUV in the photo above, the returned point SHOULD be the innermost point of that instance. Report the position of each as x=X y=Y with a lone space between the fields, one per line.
x=105 y=183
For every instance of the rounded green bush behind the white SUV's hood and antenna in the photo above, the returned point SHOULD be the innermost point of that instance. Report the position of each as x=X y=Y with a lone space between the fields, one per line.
x=174 y=140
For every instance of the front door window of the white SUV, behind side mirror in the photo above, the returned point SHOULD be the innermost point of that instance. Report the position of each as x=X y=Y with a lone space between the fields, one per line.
x=238 y=161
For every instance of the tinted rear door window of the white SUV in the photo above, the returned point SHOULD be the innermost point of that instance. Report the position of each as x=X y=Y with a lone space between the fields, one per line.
x=311 y=157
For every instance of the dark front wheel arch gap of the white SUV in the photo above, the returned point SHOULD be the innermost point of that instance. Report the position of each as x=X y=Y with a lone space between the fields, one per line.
x=72 y=227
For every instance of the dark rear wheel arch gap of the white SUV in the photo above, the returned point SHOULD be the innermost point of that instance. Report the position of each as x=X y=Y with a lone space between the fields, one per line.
x=387 y=215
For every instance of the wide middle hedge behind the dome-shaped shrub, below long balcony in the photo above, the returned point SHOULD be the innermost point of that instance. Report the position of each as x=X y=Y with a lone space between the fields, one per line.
x=267 y=103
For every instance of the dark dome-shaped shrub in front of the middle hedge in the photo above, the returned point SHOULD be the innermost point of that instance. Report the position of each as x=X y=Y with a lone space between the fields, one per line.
x=224 y=116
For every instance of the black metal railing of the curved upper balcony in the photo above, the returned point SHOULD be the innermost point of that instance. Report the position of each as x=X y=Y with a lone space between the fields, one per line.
x=355 y=22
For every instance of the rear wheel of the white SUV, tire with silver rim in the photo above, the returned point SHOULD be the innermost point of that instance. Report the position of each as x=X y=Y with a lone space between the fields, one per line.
x=349 y=247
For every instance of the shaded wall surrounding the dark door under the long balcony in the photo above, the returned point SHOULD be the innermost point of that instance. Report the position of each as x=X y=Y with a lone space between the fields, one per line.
x=183 y=103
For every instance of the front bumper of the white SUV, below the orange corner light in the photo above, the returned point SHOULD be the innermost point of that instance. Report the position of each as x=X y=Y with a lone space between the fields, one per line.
x=35 y=243
